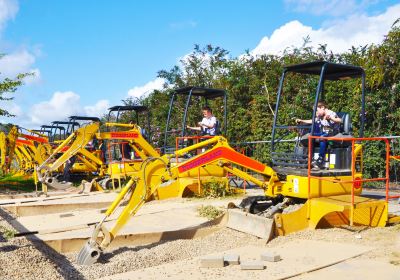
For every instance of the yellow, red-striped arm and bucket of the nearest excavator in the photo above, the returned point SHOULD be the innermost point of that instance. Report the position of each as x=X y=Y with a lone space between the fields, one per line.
x=157 y=172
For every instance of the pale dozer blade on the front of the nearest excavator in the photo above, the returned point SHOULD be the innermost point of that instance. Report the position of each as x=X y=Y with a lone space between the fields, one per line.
x=252 y=224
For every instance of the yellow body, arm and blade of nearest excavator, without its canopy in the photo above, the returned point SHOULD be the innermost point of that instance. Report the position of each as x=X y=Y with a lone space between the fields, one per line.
x=329 y=200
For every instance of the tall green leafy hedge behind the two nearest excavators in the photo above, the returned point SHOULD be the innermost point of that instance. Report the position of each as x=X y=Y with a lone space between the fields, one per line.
x=252 y=84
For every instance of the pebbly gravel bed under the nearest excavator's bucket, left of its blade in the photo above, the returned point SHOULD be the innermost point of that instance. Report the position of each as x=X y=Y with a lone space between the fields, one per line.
x=23 y=258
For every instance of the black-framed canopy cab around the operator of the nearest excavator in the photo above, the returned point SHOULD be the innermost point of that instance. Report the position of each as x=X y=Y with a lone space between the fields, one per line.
x=301 y=87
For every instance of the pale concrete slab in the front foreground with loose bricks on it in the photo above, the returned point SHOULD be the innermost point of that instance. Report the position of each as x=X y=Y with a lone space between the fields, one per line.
x=298 y=257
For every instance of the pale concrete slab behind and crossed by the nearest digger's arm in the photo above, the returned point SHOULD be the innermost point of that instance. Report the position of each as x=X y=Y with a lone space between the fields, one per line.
x=155 y=221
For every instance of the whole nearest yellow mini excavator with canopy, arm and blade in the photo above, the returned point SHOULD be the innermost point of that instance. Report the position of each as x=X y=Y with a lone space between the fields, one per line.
x=295 y=196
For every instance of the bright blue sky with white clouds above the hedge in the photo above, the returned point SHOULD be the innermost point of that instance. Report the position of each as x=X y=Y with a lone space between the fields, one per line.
x=88 y=55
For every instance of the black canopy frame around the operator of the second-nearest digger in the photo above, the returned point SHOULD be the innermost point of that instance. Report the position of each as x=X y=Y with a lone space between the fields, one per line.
x=190 y=96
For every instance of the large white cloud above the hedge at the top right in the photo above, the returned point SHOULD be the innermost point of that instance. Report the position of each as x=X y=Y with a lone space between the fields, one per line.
x=341 y=35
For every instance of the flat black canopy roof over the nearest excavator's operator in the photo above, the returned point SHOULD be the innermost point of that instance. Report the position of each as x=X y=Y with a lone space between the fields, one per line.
x=333 y=71
